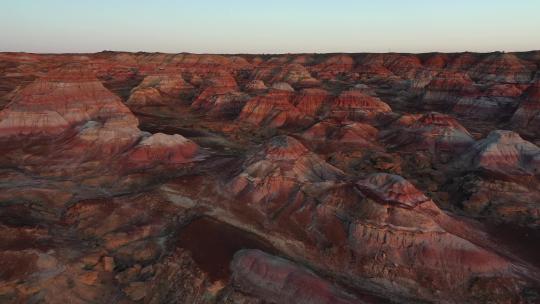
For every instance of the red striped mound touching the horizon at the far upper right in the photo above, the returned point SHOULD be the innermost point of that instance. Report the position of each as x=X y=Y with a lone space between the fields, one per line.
x=503 y=67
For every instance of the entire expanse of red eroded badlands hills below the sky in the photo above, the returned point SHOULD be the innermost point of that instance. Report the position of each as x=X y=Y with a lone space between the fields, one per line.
x=309 y=178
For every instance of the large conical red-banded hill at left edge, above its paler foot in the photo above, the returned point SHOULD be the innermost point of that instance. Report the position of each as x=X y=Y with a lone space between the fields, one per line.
x=59 y=101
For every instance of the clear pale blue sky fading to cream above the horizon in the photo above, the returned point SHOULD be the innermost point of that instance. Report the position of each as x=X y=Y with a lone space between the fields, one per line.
x=272 y=26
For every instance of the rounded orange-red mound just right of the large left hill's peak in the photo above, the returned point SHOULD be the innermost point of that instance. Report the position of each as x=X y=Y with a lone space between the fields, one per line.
x=157 y=90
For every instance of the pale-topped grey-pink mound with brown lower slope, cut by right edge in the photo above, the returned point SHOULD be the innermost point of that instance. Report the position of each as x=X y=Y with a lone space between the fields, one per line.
x=503 y=183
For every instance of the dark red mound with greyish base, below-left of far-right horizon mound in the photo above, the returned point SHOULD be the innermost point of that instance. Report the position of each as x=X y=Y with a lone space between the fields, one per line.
x=445 y=89
